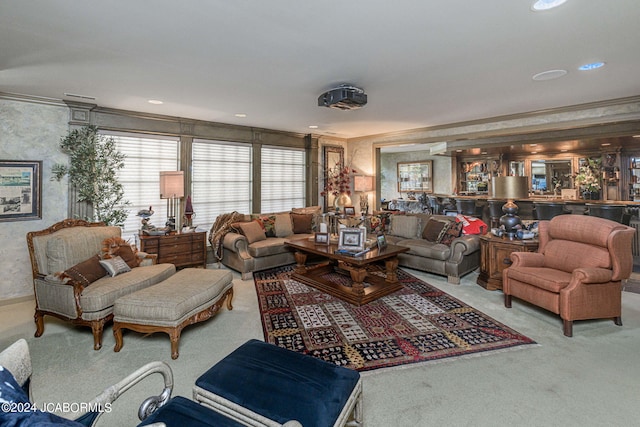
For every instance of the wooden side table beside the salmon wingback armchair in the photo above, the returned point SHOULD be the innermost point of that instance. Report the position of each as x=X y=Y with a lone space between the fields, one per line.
x=495 y=256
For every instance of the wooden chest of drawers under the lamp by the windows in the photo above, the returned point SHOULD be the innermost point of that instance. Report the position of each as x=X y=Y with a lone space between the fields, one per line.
x=182 y=250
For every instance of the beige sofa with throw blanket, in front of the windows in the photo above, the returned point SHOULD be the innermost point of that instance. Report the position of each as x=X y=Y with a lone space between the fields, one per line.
x=246 y=250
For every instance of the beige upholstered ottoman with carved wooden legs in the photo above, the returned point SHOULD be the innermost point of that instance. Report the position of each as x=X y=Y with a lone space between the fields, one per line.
x=190 y=296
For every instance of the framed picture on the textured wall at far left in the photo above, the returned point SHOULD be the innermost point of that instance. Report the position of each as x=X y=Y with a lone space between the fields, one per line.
x=20 y=190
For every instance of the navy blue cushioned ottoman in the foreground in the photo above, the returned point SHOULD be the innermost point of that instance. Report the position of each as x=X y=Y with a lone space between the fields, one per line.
x=260 y=384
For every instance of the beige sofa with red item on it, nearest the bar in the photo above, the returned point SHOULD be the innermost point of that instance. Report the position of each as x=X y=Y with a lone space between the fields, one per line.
x=455 y=258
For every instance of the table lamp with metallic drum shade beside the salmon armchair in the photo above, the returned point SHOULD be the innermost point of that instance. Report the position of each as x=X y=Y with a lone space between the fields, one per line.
x=510 y=188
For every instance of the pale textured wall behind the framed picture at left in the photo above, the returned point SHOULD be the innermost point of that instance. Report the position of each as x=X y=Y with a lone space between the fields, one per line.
x=30 y=131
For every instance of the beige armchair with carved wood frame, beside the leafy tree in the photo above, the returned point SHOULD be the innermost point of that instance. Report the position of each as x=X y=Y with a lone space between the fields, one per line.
x=83 y=301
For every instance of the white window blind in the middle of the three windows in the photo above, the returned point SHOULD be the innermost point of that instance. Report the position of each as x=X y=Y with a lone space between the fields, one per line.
x=221 y=179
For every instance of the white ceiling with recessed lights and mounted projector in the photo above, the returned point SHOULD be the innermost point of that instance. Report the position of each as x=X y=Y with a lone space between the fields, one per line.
x=421 y=62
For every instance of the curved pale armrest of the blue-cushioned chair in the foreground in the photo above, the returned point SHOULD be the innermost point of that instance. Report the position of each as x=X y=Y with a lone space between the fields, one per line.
x=96 y=407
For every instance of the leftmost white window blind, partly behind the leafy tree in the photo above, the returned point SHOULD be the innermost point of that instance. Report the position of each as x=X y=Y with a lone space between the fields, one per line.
x=145 y=157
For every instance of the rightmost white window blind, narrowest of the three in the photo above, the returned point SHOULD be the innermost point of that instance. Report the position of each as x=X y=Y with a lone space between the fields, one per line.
x=283 y=179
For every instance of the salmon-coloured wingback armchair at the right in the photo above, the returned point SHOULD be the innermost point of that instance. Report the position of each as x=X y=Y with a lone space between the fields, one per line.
x=577 y=271
